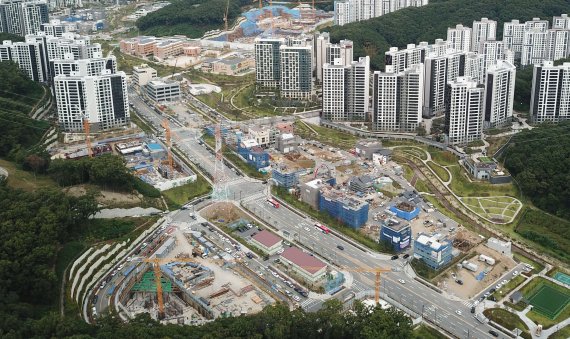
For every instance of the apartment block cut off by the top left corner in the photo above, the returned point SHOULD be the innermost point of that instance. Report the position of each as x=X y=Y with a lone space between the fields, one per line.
x=23 y=17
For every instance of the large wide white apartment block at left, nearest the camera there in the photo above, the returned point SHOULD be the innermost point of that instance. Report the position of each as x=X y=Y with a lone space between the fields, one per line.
x=101 y=98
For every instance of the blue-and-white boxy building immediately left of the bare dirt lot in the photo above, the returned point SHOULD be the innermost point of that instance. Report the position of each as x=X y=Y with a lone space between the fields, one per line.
x=434 y=250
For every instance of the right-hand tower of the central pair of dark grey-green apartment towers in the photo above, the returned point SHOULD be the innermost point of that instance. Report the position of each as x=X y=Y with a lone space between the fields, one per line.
x=296 y=72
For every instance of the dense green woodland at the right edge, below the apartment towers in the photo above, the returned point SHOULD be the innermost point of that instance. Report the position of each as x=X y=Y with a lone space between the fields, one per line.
x=539 y=161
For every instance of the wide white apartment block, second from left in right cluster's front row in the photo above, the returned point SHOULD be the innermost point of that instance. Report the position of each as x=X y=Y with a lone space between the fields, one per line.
x=397 y=100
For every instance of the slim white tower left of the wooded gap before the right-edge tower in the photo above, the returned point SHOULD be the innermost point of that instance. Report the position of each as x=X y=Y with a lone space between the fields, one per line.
x=499 y=94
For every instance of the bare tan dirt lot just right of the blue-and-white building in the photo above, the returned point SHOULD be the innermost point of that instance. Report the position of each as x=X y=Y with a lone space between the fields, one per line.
x=471 y=286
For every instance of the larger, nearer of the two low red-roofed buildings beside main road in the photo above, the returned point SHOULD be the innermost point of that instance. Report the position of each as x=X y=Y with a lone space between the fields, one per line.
x=308 y=267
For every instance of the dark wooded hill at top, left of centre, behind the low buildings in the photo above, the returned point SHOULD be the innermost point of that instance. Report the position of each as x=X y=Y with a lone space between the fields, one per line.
x=190 y=17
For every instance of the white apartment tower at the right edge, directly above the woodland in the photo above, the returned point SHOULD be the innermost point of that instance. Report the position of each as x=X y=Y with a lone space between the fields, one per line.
x=550 y=96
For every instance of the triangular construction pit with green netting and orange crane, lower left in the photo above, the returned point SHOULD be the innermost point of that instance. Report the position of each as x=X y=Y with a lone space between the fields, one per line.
x=200 y=281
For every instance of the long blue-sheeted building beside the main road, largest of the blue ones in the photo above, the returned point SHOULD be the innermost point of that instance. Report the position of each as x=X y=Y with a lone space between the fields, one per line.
x=350 y=210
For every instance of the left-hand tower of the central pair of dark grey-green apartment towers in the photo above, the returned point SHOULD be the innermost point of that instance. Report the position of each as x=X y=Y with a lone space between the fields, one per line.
x=268 y=62
